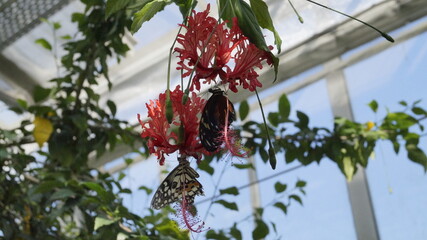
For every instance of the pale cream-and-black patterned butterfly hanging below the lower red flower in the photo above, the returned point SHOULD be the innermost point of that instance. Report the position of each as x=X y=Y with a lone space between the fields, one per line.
x=181 y=181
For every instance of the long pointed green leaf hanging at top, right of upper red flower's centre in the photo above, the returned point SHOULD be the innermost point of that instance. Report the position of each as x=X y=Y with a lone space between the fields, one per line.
x=260 y=9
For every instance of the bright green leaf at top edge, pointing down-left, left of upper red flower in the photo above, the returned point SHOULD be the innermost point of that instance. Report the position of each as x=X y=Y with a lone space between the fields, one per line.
x=147 y=12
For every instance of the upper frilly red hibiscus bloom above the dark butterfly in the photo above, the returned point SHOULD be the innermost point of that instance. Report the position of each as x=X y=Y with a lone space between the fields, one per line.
x=226 y=53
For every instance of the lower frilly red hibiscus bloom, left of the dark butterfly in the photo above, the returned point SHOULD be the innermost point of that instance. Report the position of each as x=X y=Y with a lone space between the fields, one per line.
x=182 y=134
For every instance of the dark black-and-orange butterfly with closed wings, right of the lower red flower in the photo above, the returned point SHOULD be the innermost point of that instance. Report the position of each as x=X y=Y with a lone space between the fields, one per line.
x=213 y=119
